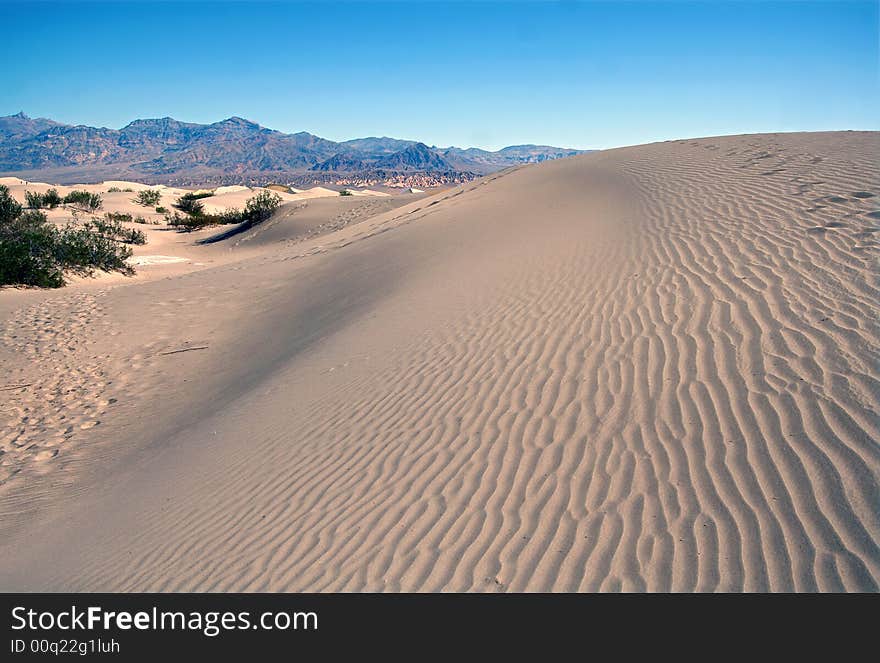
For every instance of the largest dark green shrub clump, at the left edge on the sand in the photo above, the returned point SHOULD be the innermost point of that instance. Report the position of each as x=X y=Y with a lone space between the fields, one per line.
x=35 y=252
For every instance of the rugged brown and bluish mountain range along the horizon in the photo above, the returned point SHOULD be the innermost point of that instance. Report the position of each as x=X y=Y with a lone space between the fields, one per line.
x=236 y=150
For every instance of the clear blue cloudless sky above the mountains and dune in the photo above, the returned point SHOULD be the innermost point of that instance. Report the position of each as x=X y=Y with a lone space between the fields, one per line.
x=575 y=74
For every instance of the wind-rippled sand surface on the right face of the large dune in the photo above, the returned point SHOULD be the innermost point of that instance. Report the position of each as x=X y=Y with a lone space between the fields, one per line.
x=679 y=395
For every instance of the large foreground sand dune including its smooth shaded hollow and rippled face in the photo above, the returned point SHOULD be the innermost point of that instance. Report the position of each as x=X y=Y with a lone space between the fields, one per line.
x=653 y=368
